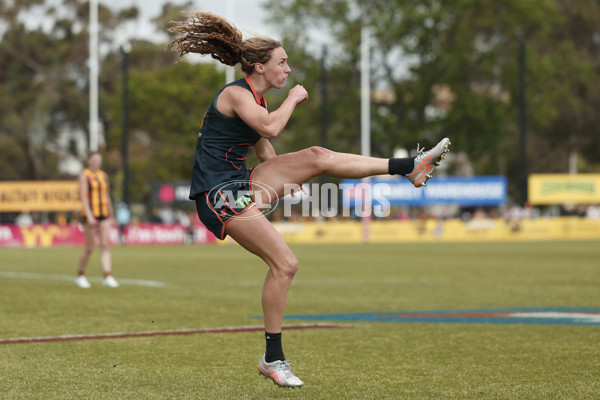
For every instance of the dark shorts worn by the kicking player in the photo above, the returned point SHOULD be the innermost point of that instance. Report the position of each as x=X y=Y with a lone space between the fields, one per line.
x=220 y=205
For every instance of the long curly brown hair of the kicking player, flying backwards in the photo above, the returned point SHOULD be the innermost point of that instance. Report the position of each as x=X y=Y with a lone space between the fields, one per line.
x=207 y=33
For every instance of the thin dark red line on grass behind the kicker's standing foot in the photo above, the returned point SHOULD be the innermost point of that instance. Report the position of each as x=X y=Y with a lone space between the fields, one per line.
x=67 y=338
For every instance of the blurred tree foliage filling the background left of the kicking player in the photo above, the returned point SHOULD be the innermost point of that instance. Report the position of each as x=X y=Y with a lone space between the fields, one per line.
x=44 y=90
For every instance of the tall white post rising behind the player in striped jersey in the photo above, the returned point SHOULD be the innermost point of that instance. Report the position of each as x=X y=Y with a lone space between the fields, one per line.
x=94 y=72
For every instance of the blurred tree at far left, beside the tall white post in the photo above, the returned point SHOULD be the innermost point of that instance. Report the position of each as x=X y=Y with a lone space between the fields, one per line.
x=43 y=76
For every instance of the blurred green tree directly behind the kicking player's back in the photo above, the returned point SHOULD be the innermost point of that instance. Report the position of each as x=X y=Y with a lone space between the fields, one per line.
x=168 y=102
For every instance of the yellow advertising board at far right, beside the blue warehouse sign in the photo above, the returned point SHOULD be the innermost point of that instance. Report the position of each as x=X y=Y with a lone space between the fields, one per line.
x=564 y=188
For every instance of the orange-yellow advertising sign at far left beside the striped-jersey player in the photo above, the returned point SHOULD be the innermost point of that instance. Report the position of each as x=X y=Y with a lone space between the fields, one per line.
x=39 y=196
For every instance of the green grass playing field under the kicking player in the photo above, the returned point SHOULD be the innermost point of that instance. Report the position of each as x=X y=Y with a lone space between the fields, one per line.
x=220 y=286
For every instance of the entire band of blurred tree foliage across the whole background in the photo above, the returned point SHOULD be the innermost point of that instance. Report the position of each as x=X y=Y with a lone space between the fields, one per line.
x=439 y=68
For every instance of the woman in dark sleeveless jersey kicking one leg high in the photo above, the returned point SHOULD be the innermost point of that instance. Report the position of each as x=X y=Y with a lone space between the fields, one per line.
x=227 y=193
